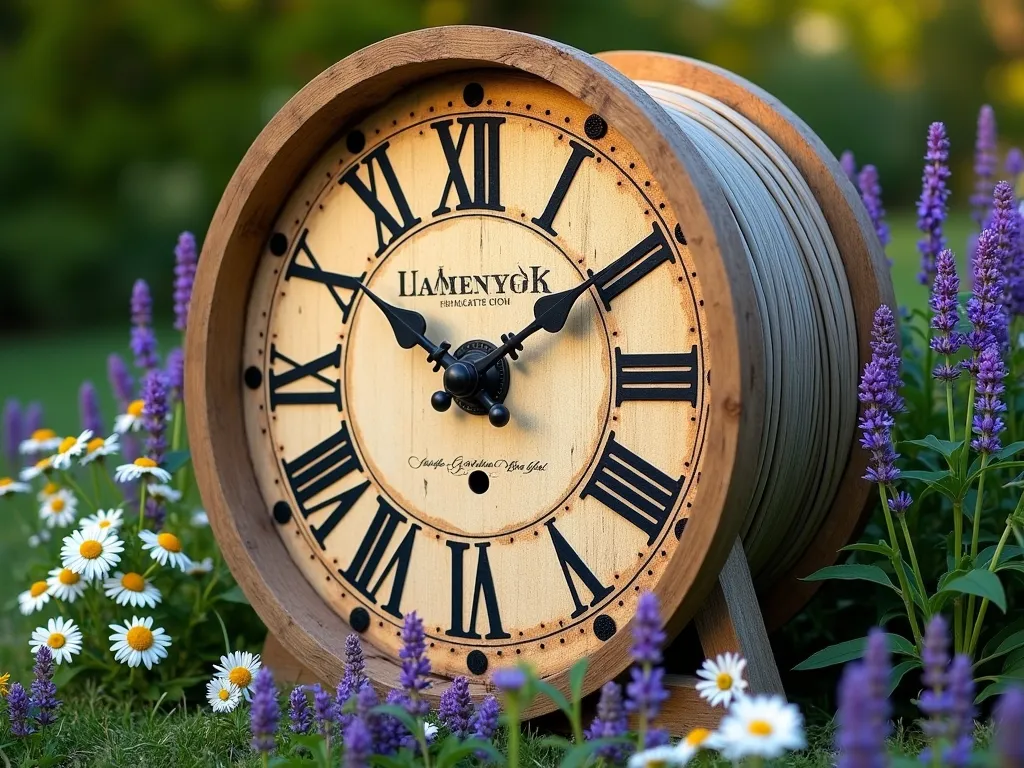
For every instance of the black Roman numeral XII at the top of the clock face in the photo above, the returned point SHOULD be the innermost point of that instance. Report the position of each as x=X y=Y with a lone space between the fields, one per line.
x=487 y=163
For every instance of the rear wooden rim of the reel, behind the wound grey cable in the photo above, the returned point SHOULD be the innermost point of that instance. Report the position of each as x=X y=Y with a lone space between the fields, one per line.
x=864 y=260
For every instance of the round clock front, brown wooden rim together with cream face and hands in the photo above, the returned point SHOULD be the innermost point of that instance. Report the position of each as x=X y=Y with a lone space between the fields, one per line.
x=454 y=342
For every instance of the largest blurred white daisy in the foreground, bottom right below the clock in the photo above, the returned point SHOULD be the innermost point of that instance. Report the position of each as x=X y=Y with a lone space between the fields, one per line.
x=762 y=727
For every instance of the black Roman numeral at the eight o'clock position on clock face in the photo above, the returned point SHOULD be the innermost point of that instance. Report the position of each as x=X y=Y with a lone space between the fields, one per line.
x=320 y=468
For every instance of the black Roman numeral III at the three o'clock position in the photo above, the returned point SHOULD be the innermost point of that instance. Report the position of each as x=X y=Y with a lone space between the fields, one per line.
x=657 y=377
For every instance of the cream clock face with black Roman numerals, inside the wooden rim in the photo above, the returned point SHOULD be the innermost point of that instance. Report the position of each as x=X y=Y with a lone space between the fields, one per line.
x=467 y=200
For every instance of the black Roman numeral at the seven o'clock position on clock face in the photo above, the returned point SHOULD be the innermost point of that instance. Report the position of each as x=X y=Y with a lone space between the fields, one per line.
x=371 y=552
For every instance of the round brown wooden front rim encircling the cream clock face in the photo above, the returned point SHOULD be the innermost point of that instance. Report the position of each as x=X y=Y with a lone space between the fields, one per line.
x=237 y=238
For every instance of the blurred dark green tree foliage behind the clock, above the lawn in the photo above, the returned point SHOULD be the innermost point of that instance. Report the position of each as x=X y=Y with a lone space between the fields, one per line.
x=121 y=121
